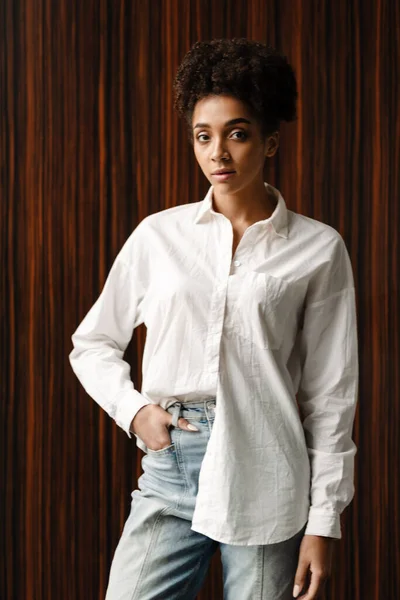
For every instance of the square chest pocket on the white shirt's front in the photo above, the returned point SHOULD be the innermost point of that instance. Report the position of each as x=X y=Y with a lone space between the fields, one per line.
x=258 y=307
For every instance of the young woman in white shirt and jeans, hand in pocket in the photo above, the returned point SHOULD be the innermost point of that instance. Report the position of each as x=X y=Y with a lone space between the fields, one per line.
x=250 y=368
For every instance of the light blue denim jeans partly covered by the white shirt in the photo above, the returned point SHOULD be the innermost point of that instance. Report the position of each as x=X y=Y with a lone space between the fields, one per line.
x=159 y=557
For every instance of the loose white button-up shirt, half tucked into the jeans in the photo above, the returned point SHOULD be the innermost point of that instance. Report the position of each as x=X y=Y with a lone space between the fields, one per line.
x=275 y=322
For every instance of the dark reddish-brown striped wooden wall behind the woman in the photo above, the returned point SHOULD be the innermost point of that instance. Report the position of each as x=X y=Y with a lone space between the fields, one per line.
x=90 y=145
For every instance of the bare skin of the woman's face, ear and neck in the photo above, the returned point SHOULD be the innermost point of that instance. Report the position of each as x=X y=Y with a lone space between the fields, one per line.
x=242 y=198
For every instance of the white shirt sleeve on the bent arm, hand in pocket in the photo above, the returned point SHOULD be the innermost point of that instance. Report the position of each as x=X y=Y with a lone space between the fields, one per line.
x=101 y=339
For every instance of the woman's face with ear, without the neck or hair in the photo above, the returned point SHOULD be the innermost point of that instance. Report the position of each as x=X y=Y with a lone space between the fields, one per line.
x=220 y=144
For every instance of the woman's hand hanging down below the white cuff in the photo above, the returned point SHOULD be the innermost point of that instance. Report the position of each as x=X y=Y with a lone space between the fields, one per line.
x=315 y=559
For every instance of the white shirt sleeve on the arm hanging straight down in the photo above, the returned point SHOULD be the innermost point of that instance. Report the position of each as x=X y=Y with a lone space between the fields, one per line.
x=328 y=390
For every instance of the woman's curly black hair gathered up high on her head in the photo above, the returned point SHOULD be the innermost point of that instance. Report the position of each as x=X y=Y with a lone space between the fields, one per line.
x=256 y=74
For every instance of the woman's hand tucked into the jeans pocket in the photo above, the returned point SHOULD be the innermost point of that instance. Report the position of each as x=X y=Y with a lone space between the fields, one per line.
x=151 y=424
